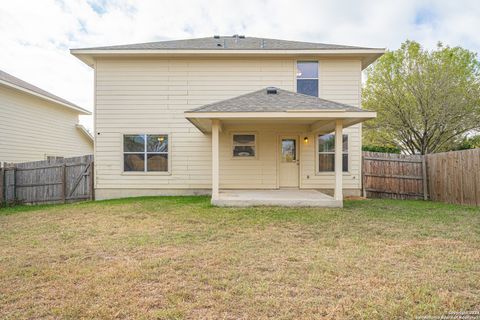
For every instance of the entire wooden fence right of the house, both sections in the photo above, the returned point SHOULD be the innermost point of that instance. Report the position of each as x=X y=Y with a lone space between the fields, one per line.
x=452 y=177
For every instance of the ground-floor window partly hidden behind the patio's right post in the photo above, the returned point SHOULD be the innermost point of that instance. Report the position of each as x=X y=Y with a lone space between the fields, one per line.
x=326 y=153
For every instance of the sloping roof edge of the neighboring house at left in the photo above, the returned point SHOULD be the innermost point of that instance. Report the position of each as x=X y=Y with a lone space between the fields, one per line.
x=16 y=83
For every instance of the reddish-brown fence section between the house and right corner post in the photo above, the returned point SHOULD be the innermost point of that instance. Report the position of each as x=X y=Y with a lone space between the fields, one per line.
x=395 y=176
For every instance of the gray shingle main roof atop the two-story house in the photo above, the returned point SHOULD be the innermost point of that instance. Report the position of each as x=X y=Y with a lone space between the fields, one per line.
x=228 y=43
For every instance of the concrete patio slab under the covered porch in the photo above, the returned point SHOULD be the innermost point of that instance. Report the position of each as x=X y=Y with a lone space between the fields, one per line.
x=280 y=197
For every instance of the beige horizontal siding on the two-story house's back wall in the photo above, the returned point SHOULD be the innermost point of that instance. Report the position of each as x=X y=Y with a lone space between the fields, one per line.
x=150 y=95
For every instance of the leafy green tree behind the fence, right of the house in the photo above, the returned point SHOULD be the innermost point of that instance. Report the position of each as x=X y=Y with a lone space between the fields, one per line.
x=426 y=101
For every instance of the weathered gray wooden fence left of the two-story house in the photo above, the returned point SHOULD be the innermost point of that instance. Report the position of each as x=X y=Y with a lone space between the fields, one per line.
x=57 y=180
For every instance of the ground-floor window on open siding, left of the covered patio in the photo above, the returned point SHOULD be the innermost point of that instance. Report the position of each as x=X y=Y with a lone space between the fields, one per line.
x=145 y=153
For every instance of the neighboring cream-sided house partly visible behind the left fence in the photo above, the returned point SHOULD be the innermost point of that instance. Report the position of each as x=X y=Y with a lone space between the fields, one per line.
x=35 y=124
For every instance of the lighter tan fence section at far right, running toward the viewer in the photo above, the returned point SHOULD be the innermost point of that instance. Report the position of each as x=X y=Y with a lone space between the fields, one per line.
x=454 y=177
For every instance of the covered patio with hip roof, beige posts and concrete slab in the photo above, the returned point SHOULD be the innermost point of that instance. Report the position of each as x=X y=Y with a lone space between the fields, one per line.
x=280 y=109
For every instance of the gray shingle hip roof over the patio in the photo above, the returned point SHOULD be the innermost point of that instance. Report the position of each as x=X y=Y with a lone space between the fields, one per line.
x=282 y=101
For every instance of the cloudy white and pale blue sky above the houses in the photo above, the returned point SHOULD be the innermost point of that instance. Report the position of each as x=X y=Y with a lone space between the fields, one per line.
x=35 y=35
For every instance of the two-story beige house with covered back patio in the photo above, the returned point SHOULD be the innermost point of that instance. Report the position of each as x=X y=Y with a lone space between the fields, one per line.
x=224 y=114
